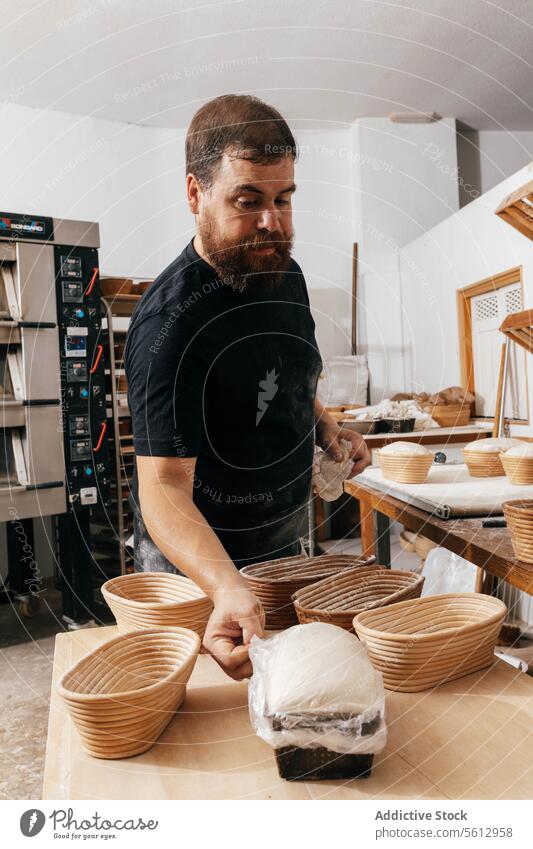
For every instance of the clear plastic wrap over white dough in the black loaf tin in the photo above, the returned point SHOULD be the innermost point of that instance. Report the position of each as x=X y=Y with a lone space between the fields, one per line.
x=343 y=721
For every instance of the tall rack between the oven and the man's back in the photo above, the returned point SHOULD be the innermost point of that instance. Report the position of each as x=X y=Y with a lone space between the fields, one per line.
x=111 y=530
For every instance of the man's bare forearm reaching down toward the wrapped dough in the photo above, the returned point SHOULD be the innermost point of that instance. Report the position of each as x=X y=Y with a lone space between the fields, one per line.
x=182 y=534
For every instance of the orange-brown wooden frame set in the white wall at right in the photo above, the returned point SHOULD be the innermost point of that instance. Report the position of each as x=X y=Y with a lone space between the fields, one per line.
x=464 y=321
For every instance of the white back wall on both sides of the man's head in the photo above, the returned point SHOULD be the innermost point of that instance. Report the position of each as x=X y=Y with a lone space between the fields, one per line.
x=131 y=180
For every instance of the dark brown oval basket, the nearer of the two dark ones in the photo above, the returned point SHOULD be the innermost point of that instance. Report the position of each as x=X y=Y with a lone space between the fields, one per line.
x=341 y=597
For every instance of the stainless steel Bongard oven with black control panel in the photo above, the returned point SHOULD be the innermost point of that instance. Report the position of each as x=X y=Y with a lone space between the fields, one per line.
x=39 y=262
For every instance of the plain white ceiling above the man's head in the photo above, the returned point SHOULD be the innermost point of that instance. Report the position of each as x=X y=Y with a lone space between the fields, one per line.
x=321 y=62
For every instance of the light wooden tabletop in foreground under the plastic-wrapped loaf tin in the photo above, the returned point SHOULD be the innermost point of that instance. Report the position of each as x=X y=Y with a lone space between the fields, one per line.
x=469 y=739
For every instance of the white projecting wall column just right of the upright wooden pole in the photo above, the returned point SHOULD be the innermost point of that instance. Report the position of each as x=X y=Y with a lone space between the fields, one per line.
x=405 y=182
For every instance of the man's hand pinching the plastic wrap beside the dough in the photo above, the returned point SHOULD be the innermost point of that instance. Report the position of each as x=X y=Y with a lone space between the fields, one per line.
x=236 y=617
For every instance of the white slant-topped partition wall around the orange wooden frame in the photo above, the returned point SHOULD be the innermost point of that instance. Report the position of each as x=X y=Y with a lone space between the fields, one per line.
x=468 y=246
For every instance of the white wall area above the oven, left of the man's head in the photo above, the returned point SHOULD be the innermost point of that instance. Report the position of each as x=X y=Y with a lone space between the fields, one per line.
x=120 y=175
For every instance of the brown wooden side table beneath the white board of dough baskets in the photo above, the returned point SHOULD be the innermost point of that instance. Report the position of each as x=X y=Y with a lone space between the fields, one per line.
x=488 y=548
